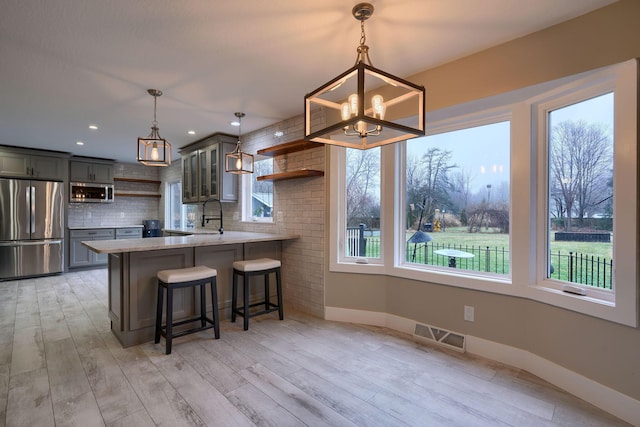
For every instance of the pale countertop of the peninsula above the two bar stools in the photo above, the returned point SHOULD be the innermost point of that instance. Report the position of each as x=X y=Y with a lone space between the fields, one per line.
x=159 y=243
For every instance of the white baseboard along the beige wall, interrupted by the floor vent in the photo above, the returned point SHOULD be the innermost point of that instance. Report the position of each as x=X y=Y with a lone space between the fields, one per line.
x=605 y=398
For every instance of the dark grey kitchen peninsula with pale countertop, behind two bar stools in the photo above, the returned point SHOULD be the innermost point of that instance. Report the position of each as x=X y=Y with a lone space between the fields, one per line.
x=134 y=263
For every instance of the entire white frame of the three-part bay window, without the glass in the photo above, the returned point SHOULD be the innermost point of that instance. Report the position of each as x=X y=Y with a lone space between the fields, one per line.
x=528 y=197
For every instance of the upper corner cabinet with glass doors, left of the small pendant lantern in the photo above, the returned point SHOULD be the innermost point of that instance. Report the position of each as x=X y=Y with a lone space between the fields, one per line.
x=203 y=174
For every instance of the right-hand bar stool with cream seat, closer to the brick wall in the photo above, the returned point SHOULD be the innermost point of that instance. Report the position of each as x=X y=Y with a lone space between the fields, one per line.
x=248 y=269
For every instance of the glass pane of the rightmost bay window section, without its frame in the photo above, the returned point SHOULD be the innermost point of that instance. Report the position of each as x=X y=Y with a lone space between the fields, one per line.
x=580 y=193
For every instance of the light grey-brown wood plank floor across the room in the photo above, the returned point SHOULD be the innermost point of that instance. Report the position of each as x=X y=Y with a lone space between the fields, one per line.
x=60 y=365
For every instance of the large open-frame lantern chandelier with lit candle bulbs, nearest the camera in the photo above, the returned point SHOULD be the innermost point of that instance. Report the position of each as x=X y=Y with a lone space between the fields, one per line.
x=364 y=107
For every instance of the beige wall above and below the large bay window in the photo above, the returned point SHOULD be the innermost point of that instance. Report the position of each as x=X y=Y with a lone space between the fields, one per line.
x=606 y=352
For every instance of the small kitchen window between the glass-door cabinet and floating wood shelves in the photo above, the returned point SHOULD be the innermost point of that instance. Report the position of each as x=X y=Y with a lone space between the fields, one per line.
x=258 y=199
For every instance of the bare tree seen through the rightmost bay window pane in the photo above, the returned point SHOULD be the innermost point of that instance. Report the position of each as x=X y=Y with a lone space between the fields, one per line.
x=580 y=163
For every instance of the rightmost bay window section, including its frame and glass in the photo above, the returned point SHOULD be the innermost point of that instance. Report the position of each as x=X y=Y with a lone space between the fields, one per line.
x=586 y=208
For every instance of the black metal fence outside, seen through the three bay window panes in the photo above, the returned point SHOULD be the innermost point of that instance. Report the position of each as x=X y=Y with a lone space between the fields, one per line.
x=573 y=267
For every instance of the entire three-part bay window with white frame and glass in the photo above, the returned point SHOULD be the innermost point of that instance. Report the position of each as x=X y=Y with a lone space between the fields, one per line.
x=516 y=174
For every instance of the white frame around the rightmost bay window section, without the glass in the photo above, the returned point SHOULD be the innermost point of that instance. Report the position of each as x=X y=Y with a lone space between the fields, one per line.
x=619 y=304
